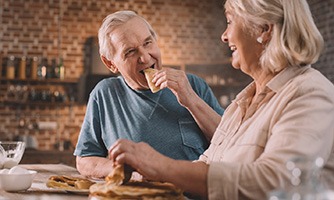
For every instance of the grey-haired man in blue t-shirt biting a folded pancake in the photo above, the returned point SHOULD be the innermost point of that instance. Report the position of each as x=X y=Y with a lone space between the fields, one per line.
x=178 y=121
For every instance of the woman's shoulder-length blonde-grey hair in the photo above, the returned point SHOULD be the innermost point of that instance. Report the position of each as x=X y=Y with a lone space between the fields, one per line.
x=295 y=39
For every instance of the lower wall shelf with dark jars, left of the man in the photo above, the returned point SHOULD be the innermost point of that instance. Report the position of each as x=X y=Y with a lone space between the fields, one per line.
x=38 y=92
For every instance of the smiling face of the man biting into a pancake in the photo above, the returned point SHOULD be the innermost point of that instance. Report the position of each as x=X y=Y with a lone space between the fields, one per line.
x=135 y=50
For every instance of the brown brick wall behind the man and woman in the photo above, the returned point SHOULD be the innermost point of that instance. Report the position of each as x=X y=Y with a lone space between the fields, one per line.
x=189 y=33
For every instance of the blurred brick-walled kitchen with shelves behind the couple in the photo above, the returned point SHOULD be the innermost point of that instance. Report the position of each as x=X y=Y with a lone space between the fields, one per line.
x=49 y=61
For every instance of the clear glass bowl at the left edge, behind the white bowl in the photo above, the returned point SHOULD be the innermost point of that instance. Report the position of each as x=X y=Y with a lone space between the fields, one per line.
x=11 y=153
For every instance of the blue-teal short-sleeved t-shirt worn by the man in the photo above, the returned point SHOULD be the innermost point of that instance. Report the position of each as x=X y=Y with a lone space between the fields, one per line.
x=116 y=111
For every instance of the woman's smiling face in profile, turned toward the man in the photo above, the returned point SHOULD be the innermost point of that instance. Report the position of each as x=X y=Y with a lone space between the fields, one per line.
x=246 y=51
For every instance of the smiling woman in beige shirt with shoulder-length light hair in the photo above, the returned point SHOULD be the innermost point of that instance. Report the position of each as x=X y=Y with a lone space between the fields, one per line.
x=285 y=113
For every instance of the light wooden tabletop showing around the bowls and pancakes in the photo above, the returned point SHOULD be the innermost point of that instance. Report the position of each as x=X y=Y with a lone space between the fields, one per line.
x=39 y=190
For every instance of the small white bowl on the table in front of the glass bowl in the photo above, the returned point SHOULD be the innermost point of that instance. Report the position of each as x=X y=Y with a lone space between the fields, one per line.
x=16 y=182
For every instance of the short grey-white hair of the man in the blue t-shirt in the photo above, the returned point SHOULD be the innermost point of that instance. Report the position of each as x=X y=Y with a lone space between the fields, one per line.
x=109 y=24
